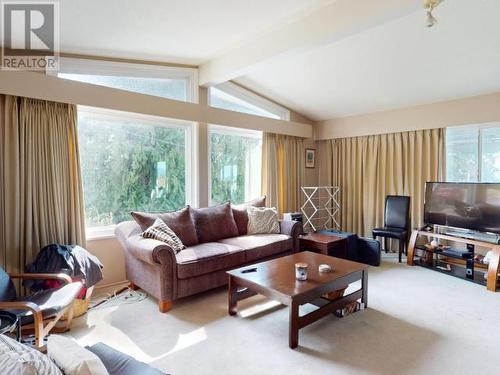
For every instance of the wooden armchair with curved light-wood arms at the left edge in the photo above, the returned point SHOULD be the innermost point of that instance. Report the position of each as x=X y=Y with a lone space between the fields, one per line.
x=42 y=310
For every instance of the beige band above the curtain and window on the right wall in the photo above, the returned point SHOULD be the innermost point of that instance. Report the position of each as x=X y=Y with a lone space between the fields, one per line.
x=473 y=110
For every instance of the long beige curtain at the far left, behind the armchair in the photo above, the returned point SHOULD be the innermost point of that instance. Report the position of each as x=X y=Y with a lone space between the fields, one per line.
x=42 y=199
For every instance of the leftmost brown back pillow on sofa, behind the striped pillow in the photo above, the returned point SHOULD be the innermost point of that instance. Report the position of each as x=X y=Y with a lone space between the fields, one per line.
x=180 y=221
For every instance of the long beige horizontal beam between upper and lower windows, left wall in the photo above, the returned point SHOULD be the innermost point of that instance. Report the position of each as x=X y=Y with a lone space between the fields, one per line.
x=41 y=86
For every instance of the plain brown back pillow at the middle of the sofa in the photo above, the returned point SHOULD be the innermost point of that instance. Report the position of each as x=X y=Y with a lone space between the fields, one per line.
x=214 y=223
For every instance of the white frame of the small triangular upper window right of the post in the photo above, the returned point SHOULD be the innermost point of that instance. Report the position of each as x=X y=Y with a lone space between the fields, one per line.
x=252 y=98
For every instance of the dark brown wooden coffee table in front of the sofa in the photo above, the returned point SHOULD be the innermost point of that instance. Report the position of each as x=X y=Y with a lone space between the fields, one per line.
x=275 y=279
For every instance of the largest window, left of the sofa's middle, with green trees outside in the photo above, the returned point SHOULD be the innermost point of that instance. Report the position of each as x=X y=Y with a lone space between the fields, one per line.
x=131 y=162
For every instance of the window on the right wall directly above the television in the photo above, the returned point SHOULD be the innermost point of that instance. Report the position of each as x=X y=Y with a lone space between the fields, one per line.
x=473 y=154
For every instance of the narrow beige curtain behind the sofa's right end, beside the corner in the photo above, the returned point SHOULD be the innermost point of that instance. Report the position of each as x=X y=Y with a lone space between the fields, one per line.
x=282 y=171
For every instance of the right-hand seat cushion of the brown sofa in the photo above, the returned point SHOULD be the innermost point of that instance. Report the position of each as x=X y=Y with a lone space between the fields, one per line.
x=259 y=246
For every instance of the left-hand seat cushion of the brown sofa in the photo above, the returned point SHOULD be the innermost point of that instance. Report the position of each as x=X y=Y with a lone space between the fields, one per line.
x=208 y=257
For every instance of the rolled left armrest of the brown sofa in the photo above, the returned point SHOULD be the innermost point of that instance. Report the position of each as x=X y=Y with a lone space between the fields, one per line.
x=151 y=251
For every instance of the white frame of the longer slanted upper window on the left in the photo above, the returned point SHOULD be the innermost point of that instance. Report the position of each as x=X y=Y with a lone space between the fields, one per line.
x=72 y=65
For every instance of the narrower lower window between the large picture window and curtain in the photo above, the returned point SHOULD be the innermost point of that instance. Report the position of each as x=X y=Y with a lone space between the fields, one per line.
x=235 y=164
